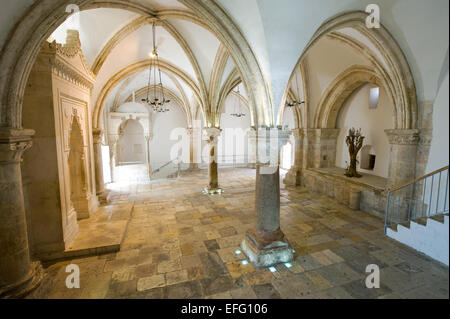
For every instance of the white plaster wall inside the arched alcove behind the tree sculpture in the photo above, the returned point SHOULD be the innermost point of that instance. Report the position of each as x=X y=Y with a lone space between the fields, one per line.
x=356 y=113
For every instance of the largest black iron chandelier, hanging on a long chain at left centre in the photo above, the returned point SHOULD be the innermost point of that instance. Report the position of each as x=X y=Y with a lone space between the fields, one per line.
x=159 y=102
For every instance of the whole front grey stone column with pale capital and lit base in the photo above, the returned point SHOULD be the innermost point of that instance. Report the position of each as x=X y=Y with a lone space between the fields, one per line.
x=266 y=245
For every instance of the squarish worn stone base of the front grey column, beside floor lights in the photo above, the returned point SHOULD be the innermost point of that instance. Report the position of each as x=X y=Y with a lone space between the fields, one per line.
x=271 y=254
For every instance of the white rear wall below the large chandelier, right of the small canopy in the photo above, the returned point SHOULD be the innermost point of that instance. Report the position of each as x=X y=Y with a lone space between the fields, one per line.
x=163 y=125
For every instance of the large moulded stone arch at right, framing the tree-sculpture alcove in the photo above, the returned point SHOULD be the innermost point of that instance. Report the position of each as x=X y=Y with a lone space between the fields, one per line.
x=383 y=51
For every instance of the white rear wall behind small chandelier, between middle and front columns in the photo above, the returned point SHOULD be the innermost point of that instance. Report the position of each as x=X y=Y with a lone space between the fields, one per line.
x=233 y=143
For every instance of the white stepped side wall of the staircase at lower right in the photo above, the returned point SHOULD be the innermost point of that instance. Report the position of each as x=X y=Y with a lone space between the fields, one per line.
x=432 y=239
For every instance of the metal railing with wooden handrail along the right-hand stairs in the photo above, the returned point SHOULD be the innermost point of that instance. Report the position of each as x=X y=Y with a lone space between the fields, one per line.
x=418 y=199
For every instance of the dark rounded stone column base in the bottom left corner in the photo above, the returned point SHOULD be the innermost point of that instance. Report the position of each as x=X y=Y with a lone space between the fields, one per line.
x=26 y=286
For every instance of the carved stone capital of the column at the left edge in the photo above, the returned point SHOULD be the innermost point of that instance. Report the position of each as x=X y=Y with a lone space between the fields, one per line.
x=13 y=143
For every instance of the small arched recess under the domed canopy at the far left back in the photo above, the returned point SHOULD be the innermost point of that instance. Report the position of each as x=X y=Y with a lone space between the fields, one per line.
x=132 y=143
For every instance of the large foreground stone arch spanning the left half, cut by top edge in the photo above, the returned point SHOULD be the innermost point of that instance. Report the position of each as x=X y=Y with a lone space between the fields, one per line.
x=44 y=17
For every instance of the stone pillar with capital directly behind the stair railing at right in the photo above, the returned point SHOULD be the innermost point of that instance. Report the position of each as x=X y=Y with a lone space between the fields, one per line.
x=402 y=165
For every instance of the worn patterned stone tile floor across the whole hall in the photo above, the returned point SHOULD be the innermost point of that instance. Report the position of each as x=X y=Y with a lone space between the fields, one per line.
x=181 y=244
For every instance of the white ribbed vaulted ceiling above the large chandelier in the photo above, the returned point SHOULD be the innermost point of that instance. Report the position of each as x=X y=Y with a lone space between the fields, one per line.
x=198 y=69
